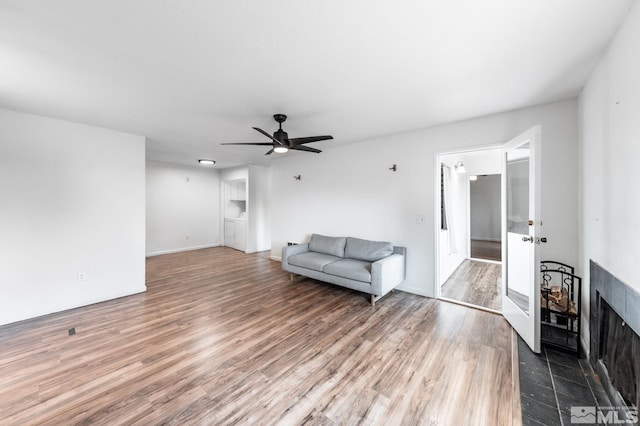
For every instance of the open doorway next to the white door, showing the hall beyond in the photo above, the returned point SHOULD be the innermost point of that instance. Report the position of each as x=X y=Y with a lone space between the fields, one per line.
x=469 y=228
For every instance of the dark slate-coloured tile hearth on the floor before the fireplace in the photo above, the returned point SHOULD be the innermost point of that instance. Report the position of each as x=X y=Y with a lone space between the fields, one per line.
x=552 y=382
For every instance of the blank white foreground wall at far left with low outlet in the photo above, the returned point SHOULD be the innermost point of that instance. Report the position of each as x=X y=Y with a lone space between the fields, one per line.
x=71 y=202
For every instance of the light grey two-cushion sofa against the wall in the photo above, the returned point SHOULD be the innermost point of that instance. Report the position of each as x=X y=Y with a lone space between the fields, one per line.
x=373 y=267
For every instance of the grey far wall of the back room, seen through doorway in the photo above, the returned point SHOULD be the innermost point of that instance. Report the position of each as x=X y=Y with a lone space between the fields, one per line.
x=484 y=200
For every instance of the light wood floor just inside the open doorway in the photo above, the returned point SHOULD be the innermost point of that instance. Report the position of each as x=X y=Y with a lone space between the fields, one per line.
x=477 y=283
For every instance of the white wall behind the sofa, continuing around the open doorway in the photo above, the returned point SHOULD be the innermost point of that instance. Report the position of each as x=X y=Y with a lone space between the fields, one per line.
x=350 y=190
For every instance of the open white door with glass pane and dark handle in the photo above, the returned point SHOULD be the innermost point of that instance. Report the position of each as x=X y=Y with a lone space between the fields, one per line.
x=521 y=227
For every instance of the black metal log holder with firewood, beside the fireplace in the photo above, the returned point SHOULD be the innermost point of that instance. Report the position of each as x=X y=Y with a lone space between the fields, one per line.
x=560 y=299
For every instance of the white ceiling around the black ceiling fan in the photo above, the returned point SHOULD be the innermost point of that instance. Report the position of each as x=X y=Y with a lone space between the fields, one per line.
x=191 y=74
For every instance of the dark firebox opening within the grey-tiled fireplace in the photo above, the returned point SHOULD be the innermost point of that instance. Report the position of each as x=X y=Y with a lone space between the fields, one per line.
x=619 y=353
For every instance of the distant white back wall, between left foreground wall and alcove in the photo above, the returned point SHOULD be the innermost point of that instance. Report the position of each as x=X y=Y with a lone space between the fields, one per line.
x=183 y=208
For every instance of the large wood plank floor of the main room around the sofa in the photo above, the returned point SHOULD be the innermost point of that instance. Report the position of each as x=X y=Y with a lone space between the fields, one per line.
x=224 y=338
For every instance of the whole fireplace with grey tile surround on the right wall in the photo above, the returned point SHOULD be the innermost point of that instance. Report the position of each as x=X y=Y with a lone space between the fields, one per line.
x=614 y=324
